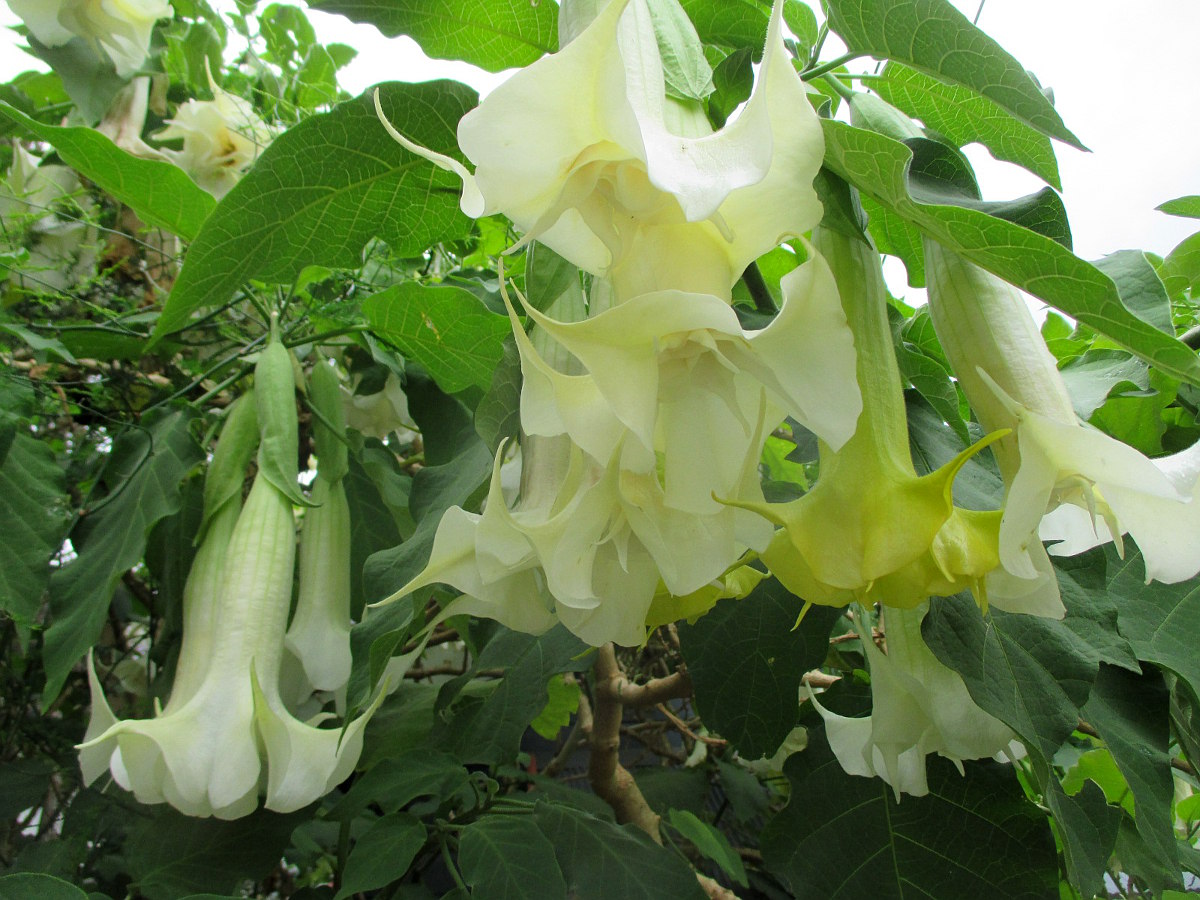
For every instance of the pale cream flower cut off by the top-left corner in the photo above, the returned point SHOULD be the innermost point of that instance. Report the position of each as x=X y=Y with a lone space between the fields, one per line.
x=119 y=29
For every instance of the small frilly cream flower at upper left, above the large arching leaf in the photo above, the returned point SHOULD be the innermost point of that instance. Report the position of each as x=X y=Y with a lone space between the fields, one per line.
x=223 y=137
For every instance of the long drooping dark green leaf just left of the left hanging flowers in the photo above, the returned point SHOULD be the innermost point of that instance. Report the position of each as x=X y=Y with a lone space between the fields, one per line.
x=143 y=475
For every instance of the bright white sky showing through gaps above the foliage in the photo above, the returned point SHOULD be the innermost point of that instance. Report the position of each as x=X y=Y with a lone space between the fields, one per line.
x=1126 y=76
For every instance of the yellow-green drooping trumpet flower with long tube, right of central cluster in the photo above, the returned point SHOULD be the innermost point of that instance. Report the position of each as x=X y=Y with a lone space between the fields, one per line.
x=872 y=530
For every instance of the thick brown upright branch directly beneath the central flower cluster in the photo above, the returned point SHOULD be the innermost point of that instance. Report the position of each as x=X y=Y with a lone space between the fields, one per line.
x=613 y=782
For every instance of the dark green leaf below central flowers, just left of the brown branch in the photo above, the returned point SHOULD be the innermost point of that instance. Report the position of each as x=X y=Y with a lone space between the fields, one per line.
x=488 y=730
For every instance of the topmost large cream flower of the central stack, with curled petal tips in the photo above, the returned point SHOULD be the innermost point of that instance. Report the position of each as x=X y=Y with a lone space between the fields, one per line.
x=585 y=152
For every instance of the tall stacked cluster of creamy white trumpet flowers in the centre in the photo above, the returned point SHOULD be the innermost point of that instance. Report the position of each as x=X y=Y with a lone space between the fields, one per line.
x=646 y=401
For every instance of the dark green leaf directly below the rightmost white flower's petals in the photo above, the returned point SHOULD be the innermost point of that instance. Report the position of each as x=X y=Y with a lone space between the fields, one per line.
x=1030 y=673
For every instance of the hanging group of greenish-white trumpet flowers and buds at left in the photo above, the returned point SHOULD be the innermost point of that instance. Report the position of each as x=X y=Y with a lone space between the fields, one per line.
x=230 y=731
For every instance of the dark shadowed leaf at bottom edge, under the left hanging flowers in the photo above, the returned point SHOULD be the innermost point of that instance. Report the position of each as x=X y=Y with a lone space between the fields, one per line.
x=171 y=855
